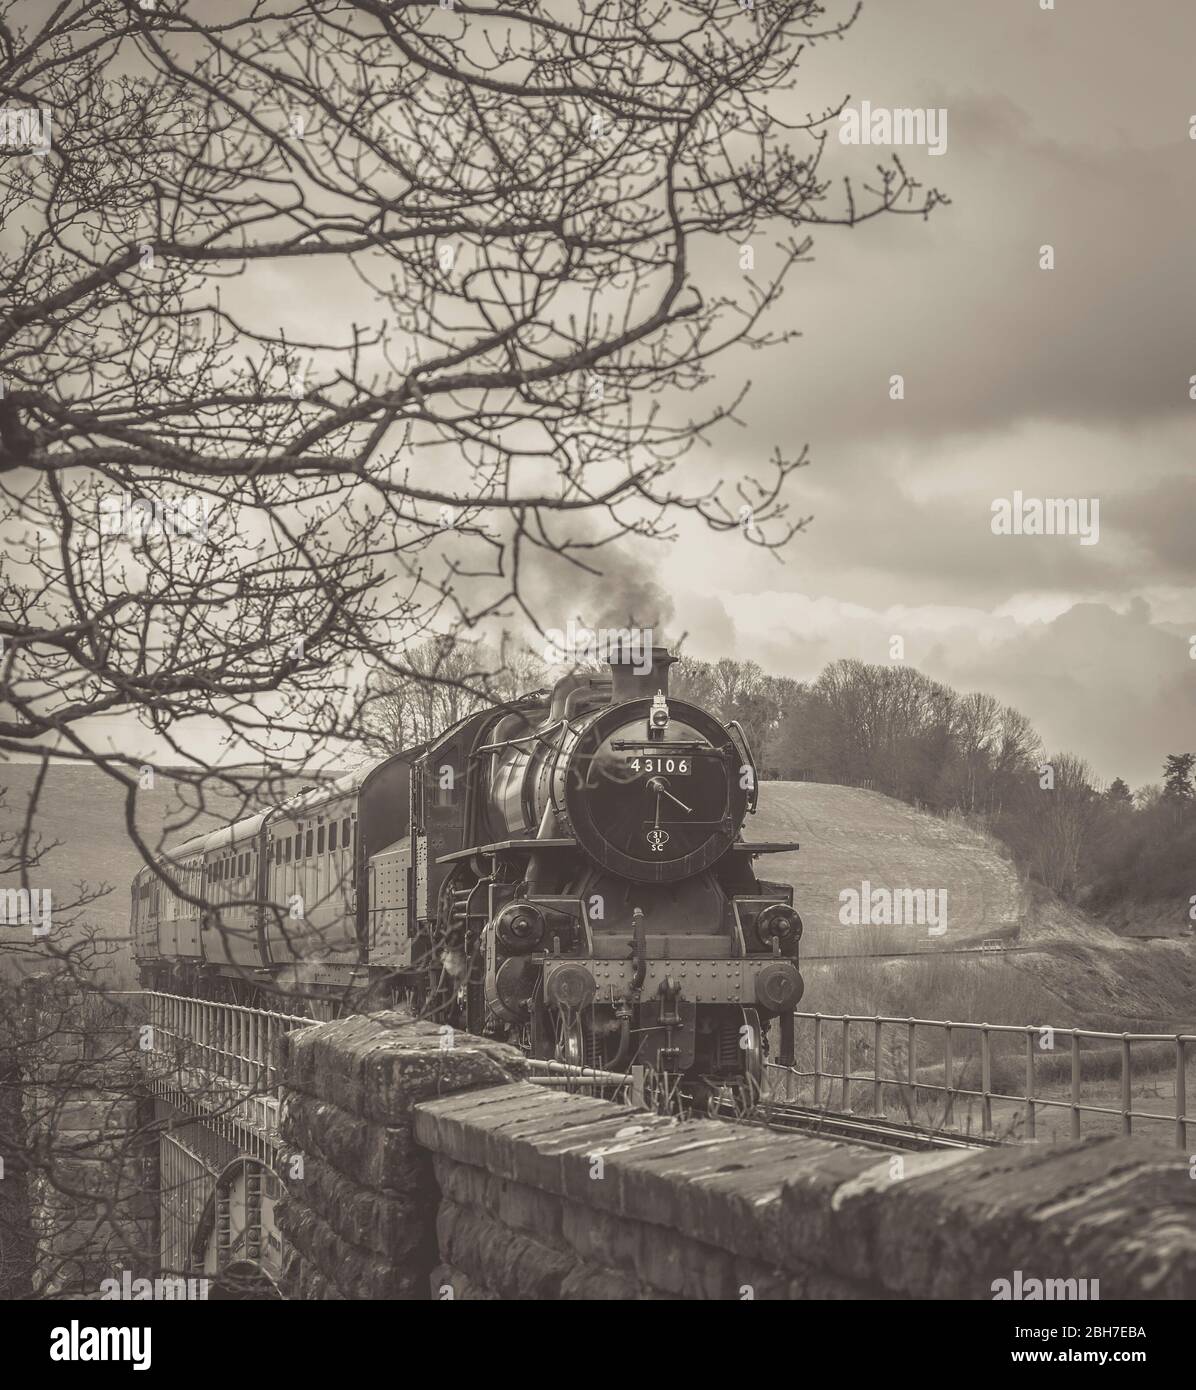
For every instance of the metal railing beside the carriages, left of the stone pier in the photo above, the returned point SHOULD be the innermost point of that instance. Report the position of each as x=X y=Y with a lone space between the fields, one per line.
x=220 y=1058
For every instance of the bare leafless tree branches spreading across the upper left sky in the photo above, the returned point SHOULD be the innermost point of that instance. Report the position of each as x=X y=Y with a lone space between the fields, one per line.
x=325 y=322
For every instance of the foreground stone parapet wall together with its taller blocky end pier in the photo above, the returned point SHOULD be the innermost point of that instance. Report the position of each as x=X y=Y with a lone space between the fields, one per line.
x=432 y=1168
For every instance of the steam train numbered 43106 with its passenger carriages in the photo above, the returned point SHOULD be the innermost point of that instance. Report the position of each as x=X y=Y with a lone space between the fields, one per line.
x=567 y=872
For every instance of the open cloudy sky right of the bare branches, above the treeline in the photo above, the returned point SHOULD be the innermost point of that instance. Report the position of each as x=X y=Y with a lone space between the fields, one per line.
x=1066 y=129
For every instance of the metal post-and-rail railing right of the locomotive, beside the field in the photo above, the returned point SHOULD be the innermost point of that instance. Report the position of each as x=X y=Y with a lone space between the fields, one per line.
x=930 y=1070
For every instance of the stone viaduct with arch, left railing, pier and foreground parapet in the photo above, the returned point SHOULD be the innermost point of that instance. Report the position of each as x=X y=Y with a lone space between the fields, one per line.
x=376 y=1157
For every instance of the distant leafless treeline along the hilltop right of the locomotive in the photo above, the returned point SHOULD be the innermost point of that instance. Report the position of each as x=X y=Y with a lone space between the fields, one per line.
x=900 y=733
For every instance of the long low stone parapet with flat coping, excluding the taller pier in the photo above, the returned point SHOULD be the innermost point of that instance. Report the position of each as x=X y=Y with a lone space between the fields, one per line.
x=549 y=1196
